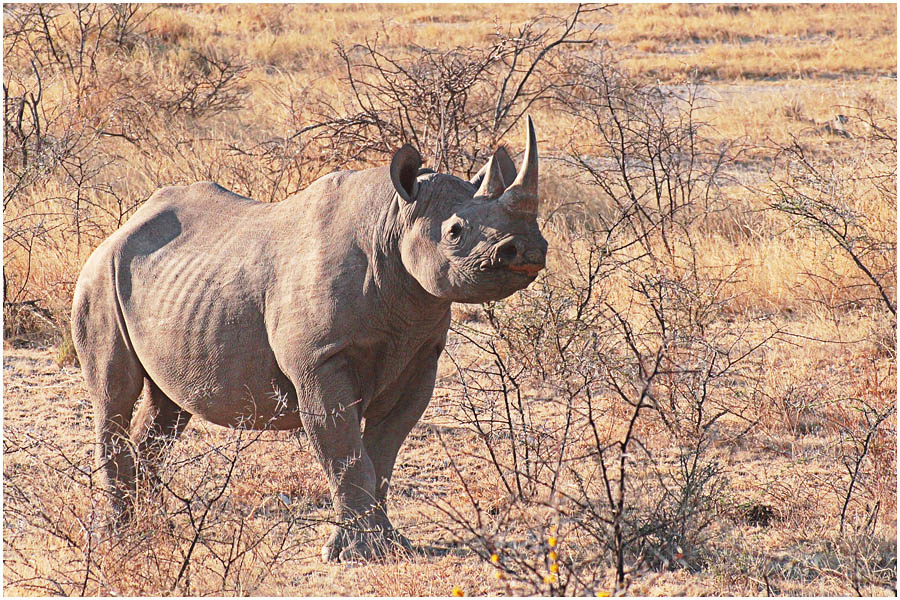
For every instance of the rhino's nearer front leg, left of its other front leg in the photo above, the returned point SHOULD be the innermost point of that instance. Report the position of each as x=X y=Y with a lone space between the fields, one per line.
x=331 y=418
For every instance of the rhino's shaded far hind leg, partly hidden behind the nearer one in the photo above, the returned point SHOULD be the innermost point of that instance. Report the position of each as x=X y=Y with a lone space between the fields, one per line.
x=157 y=422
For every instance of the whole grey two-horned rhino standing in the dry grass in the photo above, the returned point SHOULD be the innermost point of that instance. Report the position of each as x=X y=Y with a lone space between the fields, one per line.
x=326 y=311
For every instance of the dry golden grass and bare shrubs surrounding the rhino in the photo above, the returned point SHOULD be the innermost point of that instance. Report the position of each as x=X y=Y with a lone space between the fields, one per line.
x=698 y=396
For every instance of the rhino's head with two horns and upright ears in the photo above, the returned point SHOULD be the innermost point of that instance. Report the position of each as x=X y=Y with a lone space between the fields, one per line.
x=471 y=241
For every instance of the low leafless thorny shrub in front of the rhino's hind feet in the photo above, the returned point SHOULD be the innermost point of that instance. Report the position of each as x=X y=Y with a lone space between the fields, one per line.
x=194 y=535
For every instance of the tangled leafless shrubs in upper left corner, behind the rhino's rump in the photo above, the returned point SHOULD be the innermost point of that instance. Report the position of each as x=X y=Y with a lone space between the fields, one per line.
x=63 y=188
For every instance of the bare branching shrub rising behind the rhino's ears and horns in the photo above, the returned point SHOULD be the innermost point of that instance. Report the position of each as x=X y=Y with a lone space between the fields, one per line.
x=453 y=105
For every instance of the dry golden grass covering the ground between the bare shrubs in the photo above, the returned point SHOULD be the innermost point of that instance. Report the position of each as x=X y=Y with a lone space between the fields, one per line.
x=770 y=75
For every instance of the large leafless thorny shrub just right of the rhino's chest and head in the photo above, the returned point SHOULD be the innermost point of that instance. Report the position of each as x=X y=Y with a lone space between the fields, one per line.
x=625 y=342
